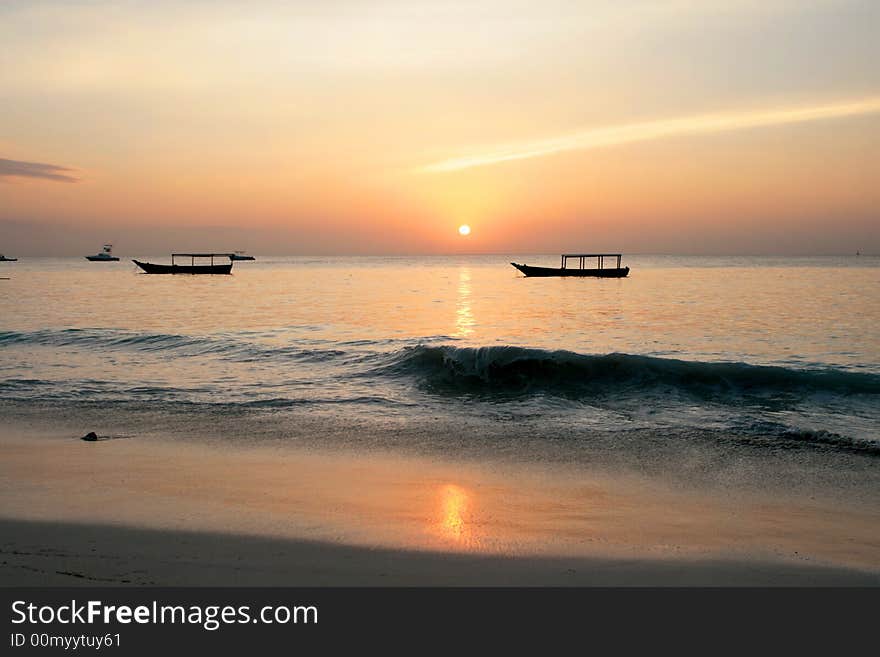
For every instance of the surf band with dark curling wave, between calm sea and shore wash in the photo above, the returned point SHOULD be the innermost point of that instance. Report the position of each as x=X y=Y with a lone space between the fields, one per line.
x=409 y=379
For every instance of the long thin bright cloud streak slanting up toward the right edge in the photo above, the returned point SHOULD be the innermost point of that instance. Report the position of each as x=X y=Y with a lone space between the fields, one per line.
x=650 y=130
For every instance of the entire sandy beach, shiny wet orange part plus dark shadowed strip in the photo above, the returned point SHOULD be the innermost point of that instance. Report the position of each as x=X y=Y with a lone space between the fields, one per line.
x=161 y=511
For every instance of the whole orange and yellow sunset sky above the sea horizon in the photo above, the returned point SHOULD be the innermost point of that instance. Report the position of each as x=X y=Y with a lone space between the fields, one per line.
x=348 y=126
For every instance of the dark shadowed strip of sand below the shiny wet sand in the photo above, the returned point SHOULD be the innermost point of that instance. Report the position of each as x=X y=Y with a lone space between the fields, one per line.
x=64 y=554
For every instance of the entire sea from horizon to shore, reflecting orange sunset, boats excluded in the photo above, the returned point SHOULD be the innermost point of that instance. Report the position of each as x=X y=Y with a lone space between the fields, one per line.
x=457 y=354
